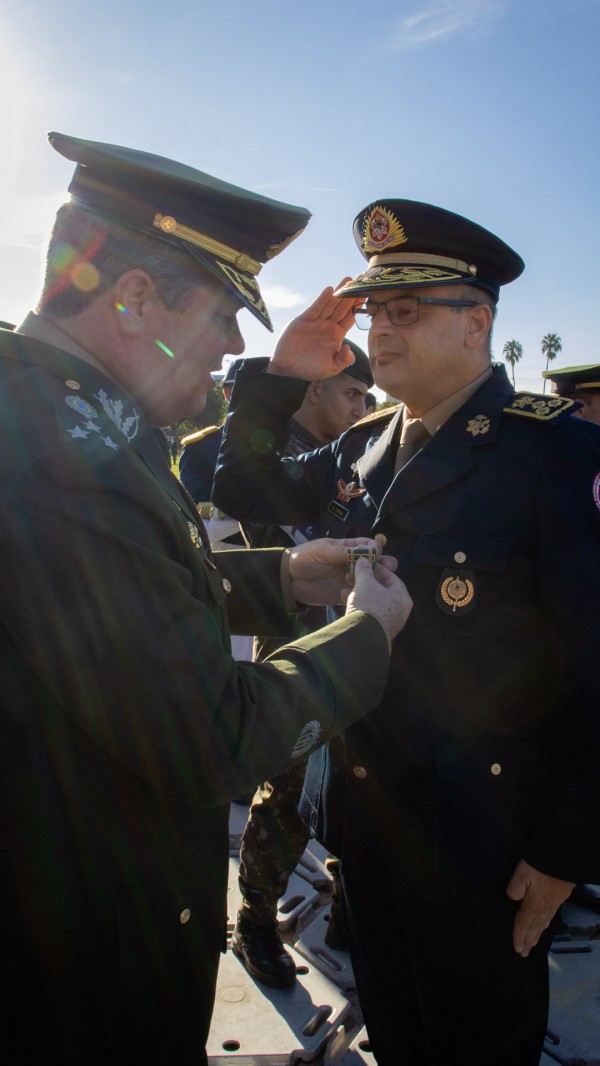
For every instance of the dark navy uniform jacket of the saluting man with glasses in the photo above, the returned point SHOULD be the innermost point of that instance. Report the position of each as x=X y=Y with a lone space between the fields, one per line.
x=487 y=745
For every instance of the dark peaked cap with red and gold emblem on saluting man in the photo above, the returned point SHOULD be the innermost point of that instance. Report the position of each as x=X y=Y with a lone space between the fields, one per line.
x=411 y=245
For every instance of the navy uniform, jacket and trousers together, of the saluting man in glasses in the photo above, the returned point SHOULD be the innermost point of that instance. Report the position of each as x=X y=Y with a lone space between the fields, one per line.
x=485 y=748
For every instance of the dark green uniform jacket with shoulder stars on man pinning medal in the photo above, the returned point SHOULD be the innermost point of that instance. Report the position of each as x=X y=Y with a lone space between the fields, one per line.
x=126 y=724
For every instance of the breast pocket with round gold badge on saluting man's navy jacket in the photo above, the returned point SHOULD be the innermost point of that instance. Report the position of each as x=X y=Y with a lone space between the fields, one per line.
x=464 y=585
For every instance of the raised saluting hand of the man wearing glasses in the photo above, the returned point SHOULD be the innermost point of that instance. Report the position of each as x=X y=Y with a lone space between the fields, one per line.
x=312 y=348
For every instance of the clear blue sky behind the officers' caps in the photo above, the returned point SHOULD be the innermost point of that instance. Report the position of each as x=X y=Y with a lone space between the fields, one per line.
x=489 y=108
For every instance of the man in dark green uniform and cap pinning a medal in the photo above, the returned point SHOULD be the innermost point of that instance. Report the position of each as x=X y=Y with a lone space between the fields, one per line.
x=127 y=726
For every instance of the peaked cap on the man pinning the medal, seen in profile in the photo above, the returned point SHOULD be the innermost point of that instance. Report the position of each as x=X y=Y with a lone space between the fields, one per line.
x=229 y=231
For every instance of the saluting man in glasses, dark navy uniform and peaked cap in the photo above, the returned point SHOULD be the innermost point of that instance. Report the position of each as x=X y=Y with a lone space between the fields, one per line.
x=473 y=795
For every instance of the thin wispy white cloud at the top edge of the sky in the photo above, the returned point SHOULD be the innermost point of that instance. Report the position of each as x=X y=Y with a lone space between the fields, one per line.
x=440 y=22
